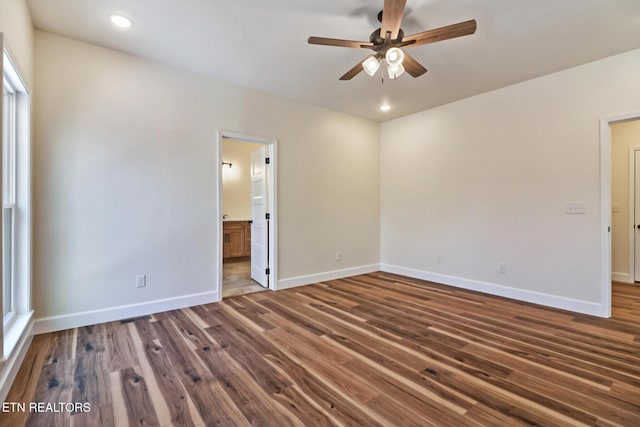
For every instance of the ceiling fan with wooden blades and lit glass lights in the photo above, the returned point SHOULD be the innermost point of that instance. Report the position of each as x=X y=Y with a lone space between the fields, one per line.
x=387 y=41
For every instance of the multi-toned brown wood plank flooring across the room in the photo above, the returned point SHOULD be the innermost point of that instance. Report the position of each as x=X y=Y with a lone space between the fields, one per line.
x=372 y=350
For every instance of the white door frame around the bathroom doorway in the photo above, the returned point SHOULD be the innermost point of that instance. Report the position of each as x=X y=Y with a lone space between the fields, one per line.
x=272 y=279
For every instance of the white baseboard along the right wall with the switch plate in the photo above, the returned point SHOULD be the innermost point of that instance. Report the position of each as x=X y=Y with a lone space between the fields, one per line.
x=564 y=303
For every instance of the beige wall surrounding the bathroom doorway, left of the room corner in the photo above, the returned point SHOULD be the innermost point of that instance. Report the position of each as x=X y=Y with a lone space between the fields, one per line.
x=125 y=167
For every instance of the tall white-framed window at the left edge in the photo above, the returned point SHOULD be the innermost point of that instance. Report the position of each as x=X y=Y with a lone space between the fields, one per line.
x=15 y=231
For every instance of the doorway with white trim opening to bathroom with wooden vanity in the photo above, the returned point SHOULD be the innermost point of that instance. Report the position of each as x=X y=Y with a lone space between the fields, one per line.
x=246 y=214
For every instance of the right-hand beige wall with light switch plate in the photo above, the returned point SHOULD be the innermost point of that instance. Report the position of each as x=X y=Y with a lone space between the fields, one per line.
x=486 y=180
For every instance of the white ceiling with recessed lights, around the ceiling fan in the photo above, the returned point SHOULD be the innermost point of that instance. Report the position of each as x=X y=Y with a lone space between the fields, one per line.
x=263 y=44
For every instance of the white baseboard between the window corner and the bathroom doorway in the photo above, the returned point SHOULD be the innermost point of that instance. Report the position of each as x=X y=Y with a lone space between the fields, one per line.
x=75 y=320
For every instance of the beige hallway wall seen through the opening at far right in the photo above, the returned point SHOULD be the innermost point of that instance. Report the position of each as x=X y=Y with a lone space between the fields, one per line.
x=623 y=136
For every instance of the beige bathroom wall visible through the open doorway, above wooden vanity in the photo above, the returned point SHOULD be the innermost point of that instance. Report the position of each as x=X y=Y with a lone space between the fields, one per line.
x=236 y=181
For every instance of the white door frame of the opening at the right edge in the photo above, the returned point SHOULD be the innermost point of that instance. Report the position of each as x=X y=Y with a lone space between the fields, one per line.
x=605 y=205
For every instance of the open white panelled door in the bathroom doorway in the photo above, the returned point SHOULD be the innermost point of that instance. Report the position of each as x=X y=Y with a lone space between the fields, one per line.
x=259 y=223
